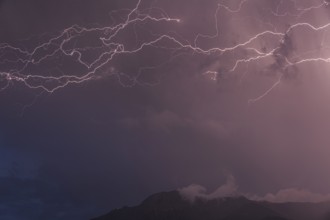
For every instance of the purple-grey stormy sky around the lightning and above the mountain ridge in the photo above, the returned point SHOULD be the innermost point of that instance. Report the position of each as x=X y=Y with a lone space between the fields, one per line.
x=103 y=145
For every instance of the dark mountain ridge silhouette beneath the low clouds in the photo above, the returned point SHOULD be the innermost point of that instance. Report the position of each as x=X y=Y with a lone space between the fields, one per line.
x=171 y=206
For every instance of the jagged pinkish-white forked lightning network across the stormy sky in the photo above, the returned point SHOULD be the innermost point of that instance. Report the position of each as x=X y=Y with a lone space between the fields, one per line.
x=99 y=59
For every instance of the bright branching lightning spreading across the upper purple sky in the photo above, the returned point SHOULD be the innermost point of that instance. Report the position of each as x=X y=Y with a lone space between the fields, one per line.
x=20 y=69
